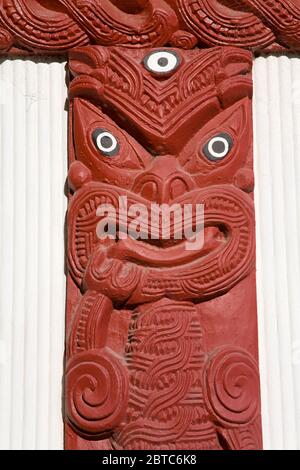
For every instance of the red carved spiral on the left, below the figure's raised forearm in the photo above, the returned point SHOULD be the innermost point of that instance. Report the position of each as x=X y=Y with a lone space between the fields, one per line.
x=97 y=390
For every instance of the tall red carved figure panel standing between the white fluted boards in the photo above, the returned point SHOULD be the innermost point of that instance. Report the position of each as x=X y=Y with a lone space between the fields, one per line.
x=162 y=343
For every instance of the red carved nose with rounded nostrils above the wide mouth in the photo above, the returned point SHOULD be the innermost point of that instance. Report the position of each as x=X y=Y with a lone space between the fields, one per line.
x=163 y=182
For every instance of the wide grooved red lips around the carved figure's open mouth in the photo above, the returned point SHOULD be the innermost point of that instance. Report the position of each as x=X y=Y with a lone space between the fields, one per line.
x=132 y=271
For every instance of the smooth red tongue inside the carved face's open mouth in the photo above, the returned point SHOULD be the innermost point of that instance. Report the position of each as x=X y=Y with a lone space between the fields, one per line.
x=140 y=252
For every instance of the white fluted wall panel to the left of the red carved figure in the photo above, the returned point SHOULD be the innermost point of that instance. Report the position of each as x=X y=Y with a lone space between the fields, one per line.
x=33 y=166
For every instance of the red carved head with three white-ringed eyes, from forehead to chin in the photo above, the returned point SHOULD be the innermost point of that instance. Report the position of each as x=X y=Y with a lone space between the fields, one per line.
x=162 y=127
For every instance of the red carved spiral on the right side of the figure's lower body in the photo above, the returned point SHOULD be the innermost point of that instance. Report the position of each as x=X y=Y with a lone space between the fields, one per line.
x=231 y=385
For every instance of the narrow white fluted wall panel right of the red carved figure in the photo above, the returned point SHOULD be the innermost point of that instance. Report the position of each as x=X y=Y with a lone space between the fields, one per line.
x=277 y=165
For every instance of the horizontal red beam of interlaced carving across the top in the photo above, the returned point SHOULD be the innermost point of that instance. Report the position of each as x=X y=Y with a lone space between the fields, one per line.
x=56 y=26
